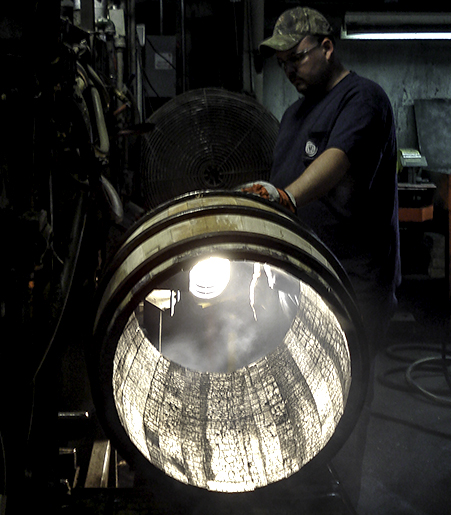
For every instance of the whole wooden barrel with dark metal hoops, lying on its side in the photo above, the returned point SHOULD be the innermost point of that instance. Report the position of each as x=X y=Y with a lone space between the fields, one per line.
x=228 y=351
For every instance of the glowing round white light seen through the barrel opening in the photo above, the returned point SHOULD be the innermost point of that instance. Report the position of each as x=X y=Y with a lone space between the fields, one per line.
x=209 y=278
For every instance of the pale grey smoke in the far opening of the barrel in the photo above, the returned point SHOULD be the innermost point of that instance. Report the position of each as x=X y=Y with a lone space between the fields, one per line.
x=248 y=321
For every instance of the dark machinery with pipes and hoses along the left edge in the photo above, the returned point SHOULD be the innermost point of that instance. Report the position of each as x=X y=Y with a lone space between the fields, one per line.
x=65 y=111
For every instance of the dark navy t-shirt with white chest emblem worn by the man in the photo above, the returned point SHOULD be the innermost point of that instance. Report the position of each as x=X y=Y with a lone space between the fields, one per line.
x=358 y=218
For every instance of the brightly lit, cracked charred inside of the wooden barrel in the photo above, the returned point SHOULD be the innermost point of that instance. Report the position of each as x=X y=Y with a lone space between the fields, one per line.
x=237 y=391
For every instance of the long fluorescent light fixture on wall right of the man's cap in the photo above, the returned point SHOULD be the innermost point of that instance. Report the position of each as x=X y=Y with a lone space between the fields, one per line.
x=391 y=26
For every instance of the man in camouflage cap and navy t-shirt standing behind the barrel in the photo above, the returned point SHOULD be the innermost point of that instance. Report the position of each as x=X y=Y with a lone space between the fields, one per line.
x=335 y=164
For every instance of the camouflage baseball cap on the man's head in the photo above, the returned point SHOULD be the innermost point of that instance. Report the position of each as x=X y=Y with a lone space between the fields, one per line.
x=293 y=25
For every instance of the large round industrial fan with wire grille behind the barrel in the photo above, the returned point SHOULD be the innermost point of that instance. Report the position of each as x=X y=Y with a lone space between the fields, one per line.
x=206 y=139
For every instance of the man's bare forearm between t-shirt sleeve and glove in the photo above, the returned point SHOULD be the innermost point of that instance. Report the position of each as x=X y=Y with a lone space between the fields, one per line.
x=320 y=177
